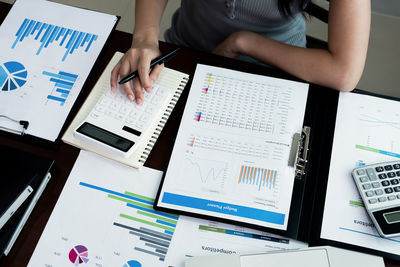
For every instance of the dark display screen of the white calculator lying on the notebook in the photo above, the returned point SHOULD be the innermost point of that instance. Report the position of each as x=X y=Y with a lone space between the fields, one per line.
x=105 y=137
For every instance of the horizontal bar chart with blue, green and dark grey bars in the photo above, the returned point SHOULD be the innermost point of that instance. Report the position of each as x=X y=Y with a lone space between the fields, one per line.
x=152 y=230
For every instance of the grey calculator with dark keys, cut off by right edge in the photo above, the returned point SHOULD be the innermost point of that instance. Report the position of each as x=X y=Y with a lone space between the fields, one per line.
x=379 y=187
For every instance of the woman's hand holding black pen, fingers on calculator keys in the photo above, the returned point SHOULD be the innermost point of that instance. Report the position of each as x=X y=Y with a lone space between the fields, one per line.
x=138 y=57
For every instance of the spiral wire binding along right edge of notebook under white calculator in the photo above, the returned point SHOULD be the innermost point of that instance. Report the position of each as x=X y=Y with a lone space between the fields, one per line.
x=163 y=120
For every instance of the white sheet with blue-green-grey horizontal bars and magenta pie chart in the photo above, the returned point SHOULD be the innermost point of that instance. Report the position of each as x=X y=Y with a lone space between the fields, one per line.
x=103 y=217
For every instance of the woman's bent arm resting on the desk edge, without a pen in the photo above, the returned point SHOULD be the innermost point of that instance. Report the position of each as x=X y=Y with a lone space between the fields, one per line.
x=340 y=67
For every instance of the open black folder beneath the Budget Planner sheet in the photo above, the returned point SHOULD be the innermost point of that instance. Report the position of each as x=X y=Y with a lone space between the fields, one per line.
x=311 y=168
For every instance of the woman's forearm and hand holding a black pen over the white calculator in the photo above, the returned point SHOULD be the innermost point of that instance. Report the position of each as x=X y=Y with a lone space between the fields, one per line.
x=144 y=48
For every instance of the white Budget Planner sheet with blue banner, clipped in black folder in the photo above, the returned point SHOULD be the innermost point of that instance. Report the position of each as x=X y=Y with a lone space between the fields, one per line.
x=230 y=158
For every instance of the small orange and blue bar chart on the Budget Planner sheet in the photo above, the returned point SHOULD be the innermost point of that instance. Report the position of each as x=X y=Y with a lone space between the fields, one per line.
x=263 y=178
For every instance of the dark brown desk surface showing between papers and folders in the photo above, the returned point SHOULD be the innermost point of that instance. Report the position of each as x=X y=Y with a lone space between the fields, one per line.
x=65 y=155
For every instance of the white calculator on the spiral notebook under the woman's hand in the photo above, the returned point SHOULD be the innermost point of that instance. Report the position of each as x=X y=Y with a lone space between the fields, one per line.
x=116 y=124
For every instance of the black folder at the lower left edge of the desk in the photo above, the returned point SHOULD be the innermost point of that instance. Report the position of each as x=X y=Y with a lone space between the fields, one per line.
x=19 y=169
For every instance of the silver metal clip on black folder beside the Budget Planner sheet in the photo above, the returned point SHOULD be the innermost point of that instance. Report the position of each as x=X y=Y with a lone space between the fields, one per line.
x=303 y=141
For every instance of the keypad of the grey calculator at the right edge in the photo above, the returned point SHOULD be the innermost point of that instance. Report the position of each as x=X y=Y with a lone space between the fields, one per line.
x=379 y=184
